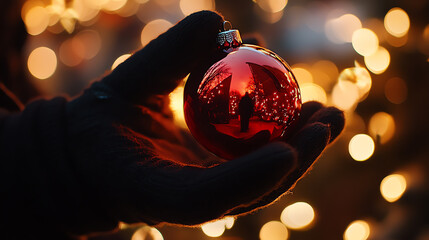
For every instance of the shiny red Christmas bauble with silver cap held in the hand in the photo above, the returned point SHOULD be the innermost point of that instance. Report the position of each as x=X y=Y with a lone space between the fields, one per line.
x=242 y=98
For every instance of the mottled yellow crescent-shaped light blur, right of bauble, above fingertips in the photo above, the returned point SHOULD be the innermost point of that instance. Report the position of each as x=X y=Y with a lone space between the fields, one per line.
x=359 y=76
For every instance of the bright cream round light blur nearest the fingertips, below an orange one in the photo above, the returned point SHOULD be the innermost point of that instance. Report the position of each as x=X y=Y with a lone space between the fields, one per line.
x=361 y=147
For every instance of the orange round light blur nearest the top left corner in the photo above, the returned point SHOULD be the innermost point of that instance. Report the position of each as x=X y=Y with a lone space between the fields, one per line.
x=36 y=20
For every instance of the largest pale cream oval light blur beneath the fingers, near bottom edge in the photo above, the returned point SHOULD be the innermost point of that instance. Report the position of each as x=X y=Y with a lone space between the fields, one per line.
x=298 y=215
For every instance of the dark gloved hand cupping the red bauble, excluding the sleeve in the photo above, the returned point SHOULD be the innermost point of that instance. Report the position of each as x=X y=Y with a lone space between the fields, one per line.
x=133 y=164
